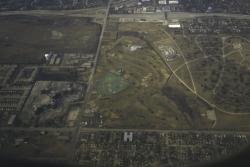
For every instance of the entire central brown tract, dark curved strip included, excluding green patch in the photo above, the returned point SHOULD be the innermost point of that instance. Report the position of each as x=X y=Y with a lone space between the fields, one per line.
x=151 y=100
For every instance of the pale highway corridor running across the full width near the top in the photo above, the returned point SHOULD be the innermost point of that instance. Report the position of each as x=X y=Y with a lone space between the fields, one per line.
x=100 y=13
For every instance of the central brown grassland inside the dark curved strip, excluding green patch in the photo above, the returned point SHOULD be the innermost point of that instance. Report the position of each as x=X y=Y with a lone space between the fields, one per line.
x=138 y=105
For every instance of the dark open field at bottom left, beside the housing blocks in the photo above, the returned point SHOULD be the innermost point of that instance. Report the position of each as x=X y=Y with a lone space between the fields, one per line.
x=44 y=145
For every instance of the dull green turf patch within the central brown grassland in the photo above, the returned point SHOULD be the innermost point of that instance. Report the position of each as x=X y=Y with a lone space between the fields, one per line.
x=111 y=84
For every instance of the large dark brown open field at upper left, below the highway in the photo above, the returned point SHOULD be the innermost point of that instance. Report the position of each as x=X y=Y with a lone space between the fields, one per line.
x=25 y=39
